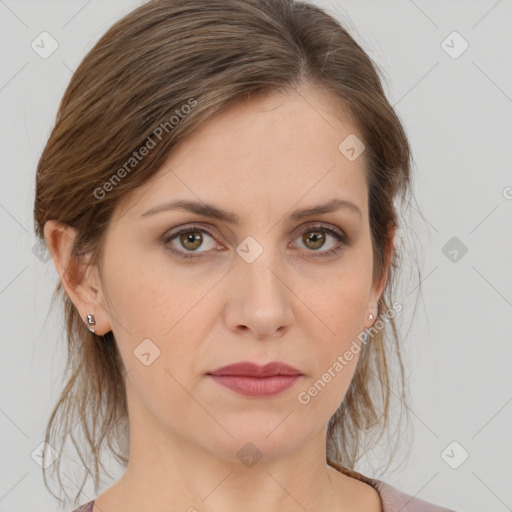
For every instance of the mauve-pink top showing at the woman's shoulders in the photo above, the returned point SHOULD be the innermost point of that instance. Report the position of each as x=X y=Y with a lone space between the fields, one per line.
x=392 y=499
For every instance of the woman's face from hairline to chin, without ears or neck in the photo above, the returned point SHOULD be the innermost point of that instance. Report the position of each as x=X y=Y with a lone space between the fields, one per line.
x=266 y=288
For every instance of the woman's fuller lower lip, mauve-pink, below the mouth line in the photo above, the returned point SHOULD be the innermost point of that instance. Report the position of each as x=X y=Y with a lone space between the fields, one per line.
x=257 y=386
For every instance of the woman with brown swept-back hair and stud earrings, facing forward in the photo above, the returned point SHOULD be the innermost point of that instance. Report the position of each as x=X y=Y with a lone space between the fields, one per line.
x=218 y=198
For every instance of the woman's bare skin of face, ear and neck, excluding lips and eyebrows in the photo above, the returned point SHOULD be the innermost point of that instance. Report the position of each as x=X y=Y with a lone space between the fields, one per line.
x=261 y=159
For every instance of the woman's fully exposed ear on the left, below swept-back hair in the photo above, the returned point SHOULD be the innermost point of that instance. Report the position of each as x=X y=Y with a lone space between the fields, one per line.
x=80 y=280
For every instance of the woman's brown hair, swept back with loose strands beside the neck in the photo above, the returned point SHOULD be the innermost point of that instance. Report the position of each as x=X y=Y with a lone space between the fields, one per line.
x=141 y=75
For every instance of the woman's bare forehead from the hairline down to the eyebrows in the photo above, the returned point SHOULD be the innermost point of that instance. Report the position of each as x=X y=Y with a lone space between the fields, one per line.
x=277 y=149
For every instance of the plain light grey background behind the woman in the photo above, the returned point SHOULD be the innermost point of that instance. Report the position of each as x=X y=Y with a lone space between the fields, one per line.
x=457 y=113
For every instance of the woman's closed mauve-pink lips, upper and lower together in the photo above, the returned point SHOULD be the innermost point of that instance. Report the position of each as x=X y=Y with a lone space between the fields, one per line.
x=250 y=379
